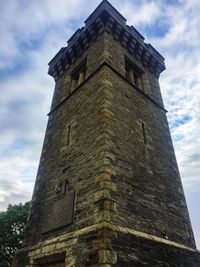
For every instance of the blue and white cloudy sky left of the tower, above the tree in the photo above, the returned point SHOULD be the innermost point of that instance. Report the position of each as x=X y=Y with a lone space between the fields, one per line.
x=34 y=35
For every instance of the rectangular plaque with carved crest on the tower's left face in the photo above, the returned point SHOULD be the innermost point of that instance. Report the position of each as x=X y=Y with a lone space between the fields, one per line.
x=58 y=211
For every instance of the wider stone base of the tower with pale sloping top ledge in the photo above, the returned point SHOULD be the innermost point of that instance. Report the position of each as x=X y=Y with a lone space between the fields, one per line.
x=107 y=245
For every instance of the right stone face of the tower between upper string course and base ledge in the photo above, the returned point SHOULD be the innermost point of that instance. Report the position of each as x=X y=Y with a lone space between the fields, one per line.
x=149 y=192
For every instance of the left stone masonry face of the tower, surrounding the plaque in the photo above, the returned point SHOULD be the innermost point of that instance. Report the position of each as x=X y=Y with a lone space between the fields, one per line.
x=81 y=162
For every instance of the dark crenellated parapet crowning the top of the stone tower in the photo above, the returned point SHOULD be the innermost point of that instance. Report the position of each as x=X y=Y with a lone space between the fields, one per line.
x=106 y=18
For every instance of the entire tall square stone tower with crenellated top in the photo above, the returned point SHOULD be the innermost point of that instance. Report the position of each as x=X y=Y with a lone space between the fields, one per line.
x=108 y=191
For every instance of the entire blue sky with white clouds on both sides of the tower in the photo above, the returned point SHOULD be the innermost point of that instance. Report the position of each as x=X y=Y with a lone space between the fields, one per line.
x=31 y=34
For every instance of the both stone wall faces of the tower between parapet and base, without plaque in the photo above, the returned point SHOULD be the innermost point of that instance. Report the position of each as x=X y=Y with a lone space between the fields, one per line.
x=109 y=119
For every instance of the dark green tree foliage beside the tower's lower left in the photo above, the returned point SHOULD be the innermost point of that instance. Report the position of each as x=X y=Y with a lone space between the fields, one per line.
x=12 y=225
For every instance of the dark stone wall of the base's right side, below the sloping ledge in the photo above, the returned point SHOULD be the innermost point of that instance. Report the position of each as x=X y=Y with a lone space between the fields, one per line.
x=138 y=251
